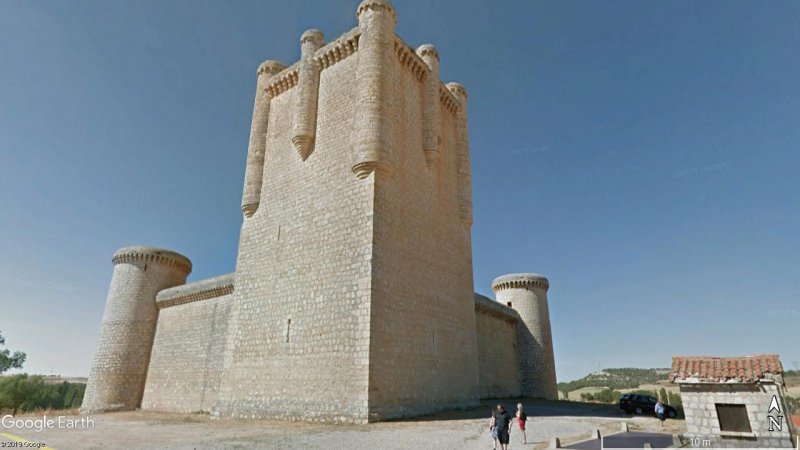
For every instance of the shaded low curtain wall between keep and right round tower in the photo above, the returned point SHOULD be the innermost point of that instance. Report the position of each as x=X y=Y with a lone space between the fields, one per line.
x=497 y=348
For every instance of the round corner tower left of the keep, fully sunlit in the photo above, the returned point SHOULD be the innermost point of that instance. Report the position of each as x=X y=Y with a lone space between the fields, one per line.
x=118 y=373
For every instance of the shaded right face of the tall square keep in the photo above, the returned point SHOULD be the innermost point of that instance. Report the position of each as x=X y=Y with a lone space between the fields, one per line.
x=423 y=354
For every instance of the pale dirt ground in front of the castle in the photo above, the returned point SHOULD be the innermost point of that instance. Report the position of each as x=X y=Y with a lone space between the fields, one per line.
x=462 y=430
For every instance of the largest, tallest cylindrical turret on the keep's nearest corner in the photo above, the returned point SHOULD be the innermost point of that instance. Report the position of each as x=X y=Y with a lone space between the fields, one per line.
x=376 y=20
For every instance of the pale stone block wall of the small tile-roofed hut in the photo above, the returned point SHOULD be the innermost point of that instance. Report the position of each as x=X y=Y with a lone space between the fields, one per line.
x=701 y=414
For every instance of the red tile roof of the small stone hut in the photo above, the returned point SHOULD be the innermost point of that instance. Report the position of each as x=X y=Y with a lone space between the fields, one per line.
x=714 y=369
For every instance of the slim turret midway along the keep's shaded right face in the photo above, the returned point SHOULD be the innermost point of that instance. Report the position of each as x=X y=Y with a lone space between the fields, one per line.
x=430 y=127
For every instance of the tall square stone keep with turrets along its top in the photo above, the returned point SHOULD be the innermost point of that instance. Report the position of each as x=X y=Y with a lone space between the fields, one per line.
x=354 y=292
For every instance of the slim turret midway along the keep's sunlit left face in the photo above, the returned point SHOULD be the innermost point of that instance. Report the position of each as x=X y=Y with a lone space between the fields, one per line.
x=305 y=116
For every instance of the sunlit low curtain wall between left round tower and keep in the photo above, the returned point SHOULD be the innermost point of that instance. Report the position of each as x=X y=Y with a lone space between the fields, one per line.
x=188 y=349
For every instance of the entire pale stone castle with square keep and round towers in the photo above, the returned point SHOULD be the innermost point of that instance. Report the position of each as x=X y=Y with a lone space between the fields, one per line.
x=352 y=299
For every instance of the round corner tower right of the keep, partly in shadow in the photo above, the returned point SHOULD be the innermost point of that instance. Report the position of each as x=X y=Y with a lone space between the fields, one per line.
x=527 y=294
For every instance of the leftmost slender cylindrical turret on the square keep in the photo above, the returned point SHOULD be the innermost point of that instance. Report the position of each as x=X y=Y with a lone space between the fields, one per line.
x=251 y=196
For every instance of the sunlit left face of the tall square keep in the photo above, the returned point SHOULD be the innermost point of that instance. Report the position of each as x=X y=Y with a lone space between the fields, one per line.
x=298 y=346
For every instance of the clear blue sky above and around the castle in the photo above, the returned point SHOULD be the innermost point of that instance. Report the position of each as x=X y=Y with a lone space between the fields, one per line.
x=644 y=156
